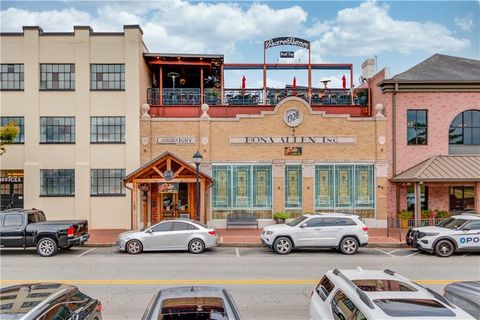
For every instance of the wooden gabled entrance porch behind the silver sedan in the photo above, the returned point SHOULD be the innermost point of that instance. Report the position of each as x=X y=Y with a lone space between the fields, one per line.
x=163 y=176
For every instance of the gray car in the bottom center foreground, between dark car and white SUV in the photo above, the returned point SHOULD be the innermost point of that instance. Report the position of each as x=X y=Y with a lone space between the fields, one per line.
x=192 y=303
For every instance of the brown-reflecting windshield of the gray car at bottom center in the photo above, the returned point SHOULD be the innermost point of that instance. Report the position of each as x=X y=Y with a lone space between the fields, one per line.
x=193 y=308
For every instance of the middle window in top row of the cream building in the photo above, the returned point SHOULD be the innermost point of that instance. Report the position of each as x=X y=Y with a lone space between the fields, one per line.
x=57 y=76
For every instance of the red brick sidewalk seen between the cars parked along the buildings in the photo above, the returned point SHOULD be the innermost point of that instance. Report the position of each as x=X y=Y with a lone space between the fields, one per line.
x=247 y=237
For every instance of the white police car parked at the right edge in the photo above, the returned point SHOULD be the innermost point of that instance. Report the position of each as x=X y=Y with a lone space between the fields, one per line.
x=457 y=233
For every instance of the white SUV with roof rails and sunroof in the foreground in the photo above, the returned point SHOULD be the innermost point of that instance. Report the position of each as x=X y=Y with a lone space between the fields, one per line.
x=377 y=294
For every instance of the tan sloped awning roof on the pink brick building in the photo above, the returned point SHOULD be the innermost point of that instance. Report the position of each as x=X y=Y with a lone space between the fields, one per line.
x=443 y=169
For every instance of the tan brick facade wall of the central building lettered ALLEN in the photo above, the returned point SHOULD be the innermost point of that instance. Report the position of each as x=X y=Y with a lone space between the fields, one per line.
x=217 y=131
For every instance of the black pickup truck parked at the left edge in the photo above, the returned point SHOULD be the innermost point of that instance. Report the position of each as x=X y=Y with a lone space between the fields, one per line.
x=22 y=228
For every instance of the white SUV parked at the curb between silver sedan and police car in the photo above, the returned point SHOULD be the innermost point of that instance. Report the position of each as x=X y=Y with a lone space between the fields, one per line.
x=344 y=232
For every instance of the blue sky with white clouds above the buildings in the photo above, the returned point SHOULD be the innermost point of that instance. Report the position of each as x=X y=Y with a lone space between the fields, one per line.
x=399 y=34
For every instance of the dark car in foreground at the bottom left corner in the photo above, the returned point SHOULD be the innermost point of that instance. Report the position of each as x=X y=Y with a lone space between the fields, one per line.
x=47 y=301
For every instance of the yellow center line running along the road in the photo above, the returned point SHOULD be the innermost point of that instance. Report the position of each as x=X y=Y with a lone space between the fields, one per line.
x=197 y=282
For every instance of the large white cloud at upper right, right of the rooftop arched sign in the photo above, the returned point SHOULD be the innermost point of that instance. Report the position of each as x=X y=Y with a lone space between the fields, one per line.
x=369 y=29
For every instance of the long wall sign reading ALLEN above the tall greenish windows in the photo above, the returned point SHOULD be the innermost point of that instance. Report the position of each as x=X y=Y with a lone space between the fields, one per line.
x=262 y=140
